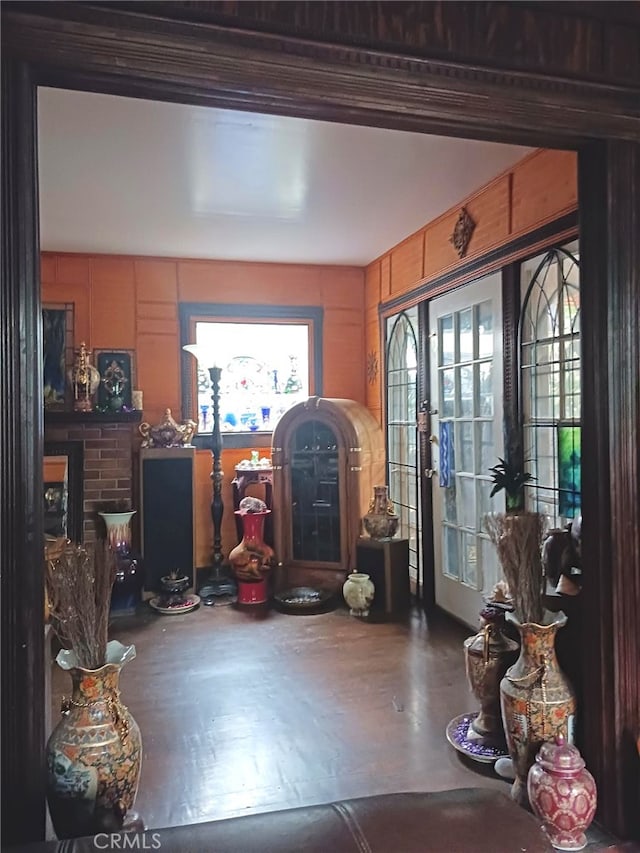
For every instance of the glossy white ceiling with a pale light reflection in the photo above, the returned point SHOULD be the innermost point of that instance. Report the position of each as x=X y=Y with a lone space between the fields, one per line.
x=126 y=176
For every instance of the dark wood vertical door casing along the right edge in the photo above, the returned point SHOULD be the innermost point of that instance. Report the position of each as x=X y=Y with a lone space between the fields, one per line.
x=610 y=296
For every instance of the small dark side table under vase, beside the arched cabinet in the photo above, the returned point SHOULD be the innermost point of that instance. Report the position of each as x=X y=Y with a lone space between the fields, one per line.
x=386 y=561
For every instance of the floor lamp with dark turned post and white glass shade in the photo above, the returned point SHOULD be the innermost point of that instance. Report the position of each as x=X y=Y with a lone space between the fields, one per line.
x=219 y=586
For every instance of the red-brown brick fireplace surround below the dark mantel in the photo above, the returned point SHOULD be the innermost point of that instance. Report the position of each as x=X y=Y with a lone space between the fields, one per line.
x=109 y=442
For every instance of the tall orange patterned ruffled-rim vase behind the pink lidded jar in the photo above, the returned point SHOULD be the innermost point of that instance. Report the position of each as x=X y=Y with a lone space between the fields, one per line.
x=537 y=700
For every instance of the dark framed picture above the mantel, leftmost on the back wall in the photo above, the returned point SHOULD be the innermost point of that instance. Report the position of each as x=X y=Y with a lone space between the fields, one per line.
x=57 y=353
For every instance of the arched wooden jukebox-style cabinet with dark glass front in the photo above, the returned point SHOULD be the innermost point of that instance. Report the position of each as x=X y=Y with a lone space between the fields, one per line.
x=327 y=455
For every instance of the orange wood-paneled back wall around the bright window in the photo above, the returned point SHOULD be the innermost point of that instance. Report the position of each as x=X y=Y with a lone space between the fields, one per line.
x=124 y=302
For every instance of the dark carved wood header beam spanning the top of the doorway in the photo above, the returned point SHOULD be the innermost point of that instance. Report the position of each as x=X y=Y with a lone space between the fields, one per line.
x=107 y=48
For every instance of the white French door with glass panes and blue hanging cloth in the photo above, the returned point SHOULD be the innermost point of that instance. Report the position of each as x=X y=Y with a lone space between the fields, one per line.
x=465 y=330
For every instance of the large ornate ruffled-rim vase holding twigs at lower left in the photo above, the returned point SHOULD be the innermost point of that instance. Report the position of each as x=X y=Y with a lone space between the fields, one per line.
x=95 y=751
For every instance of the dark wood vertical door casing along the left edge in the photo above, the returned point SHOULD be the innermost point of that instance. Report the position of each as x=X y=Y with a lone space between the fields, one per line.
x=22 y=624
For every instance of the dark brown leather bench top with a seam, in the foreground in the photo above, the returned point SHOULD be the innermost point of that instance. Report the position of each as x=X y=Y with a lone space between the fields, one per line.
x=468 y=820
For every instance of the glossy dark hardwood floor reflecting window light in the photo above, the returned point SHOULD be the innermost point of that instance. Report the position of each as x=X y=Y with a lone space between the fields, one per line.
x=241 y=713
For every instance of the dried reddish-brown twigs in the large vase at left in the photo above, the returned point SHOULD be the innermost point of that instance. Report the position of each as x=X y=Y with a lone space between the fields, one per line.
x=79 y=582
